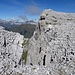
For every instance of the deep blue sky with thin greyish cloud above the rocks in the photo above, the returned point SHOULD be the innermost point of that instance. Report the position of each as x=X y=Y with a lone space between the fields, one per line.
x=31 y=9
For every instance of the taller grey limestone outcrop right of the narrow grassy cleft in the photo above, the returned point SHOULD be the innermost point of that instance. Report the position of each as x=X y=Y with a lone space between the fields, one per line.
x=53 y=43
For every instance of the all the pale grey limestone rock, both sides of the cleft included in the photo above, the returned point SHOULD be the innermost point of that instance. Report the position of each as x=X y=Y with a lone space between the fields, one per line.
x=50 y=51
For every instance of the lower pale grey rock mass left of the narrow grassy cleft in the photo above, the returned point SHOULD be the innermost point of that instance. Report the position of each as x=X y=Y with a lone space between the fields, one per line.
x=10 y=51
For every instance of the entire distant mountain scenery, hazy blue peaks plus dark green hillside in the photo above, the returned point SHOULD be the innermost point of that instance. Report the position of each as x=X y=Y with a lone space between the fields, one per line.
x=24 y=28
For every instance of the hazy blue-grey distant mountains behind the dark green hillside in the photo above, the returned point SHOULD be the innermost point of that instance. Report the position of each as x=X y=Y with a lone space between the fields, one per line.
x=12 y=24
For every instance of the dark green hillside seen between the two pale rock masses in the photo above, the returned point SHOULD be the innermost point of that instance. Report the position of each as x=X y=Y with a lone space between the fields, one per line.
x=26 y=30
